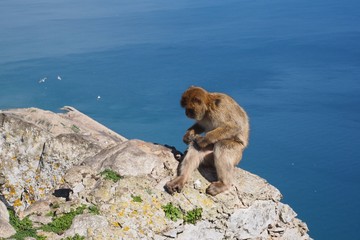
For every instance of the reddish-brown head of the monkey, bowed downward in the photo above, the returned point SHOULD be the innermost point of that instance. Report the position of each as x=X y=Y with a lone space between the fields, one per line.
x=195 y=101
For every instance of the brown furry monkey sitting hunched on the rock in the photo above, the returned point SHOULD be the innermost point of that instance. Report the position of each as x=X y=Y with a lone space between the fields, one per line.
x=220 y=135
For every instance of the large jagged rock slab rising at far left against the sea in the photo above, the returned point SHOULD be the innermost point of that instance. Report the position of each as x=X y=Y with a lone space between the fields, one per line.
x=37 y=147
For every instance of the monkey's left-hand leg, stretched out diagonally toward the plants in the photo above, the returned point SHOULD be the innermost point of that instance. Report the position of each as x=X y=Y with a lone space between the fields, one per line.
x=191 y=161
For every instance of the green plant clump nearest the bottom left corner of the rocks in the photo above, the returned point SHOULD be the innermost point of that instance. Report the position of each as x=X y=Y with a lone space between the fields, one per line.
x=23 y=228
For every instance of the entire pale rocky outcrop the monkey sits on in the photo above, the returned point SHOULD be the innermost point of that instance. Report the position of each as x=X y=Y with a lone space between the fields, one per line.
x=42 y=152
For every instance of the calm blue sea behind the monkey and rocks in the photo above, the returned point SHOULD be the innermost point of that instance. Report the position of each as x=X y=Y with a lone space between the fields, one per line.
x=294 y=65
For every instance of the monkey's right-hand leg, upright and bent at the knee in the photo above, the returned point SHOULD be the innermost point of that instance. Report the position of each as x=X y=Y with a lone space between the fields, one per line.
x=227 y=154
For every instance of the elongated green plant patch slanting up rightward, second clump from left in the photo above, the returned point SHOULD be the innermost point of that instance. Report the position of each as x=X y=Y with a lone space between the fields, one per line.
x=63 y=222
